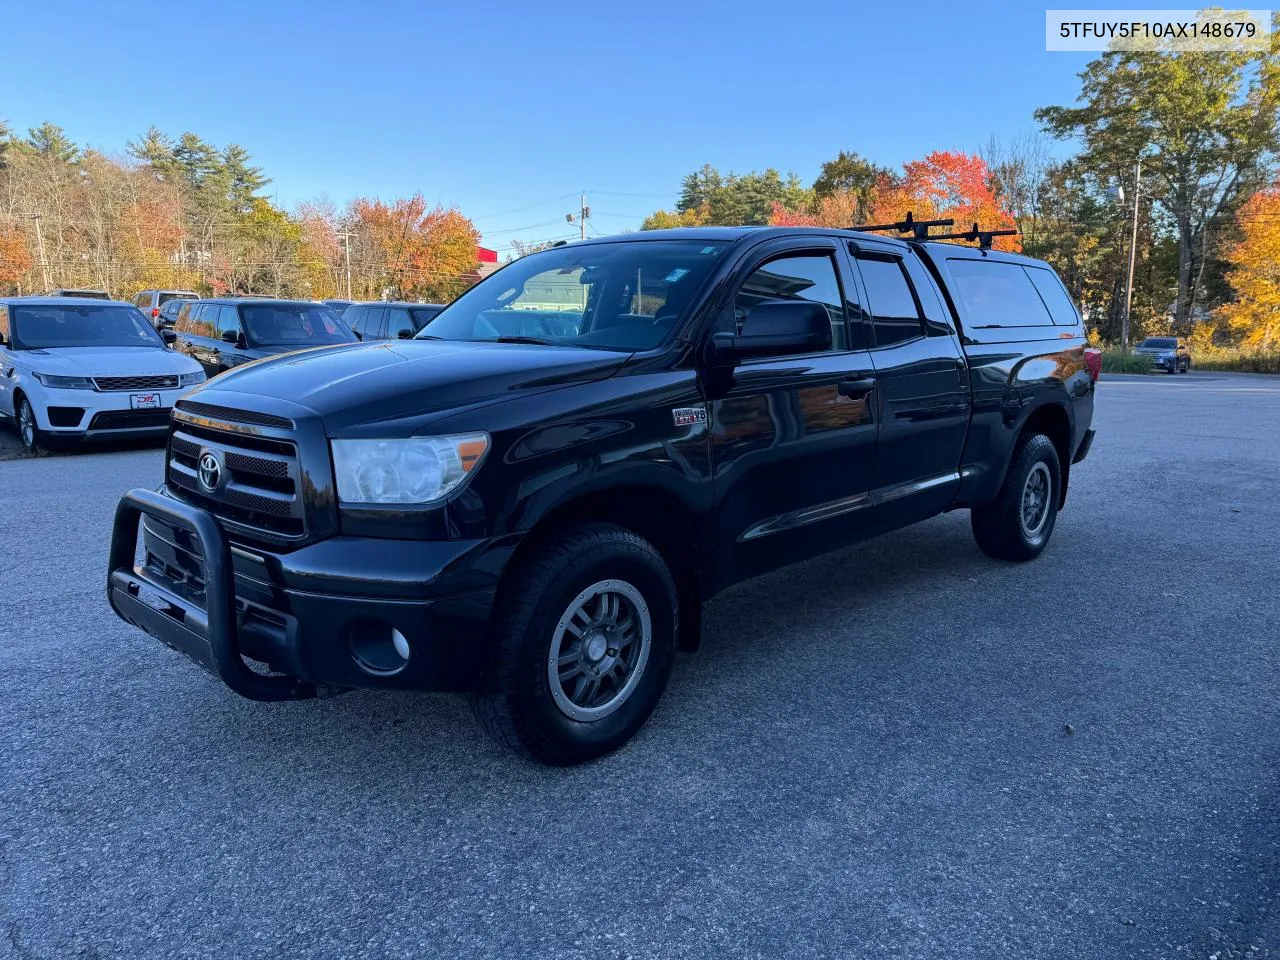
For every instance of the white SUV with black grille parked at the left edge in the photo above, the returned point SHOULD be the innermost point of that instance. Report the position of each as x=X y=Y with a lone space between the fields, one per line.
x=83 y=371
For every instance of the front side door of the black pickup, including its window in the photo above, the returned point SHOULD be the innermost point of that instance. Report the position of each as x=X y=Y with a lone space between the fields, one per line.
x=793 y=438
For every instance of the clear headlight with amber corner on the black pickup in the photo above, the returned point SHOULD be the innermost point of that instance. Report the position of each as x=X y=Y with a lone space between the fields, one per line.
x=417 y=470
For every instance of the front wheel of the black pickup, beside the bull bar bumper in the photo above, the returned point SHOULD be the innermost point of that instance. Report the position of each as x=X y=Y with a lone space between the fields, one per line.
x=586 y=643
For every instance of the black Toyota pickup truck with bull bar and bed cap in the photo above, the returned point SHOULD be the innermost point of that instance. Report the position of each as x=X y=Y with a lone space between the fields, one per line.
x=532 y=500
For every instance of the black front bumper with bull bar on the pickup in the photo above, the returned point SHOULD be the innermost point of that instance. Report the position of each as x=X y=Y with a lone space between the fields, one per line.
x=310 y=615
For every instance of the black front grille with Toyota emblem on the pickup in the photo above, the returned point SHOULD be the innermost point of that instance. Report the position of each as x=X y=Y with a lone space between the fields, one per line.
x=262 y=486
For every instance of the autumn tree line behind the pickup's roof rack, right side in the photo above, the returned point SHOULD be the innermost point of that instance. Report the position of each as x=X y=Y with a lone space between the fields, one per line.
x=1208 y=254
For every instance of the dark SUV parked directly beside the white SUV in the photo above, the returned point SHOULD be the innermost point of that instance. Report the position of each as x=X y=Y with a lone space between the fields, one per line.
x=232 y=331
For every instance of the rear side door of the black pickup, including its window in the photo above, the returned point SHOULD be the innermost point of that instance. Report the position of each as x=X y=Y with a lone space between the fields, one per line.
x=922 y=385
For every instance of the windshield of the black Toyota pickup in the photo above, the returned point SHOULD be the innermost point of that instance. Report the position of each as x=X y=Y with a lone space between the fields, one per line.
x=612 y=296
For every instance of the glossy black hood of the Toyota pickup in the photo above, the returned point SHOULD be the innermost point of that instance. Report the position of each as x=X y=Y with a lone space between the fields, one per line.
x=371 y=383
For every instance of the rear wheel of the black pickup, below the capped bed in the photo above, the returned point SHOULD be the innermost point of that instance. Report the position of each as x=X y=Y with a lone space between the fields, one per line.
x=1017 y=525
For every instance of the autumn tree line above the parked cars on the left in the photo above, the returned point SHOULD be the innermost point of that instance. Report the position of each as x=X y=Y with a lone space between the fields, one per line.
x=184 y=214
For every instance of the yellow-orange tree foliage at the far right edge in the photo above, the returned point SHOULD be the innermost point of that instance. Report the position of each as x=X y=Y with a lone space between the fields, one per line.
x=1255 y=275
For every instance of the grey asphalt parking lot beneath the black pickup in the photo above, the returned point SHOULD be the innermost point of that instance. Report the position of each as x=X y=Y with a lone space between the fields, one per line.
x=868 y=758
